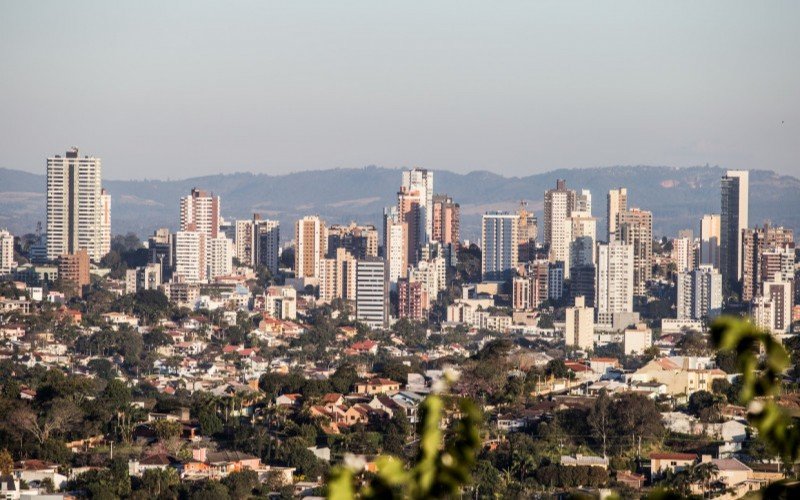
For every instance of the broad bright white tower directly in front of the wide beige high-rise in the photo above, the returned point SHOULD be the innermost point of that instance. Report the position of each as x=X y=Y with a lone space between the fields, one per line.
x=614 y=280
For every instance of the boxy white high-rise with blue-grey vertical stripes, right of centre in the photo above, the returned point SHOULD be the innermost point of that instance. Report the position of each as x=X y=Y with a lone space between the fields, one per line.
x=499 y=250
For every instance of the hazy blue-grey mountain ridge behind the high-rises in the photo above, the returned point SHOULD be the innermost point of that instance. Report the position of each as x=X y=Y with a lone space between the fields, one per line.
x=678 y=196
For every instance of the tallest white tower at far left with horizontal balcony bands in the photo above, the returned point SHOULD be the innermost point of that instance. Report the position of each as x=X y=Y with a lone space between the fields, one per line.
x=74 y=206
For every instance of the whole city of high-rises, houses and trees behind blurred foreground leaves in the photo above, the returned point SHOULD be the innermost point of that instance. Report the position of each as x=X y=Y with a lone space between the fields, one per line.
x=222 y=360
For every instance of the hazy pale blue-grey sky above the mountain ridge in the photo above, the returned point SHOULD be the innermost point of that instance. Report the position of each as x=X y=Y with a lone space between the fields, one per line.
x=175 y=89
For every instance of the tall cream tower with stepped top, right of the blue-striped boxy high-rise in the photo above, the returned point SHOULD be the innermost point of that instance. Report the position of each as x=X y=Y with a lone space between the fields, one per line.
x=558 y=206
